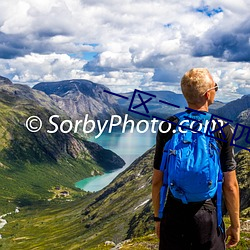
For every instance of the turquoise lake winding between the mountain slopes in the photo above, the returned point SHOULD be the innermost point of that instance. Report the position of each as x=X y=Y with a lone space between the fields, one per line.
x=129 y=146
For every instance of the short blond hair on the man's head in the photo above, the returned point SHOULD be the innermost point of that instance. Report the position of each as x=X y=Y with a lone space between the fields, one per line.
x=195 y=83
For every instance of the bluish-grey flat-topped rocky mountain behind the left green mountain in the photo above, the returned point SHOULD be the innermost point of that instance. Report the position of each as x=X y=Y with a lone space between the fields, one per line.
x=80 y=97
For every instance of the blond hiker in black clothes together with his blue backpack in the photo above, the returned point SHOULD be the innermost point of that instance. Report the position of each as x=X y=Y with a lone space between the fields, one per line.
x=186 y=221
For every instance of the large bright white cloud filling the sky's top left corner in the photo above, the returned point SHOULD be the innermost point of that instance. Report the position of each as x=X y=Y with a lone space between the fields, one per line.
x=31 y=16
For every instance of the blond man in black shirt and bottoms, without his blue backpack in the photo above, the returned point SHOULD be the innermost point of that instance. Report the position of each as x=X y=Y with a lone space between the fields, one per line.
x=194 y=225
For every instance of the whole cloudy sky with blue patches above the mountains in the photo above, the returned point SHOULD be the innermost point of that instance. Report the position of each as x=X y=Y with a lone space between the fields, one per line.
x=127 y=45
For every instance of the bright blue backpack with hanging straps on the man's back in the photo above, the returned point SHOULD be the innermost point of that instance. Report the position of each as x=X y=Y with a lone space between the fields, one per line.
x=191 y=162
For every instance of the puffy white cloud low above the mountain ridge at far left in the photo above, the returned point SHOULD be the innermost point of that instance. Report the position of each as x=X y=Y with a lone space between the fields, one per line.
x=34 y=68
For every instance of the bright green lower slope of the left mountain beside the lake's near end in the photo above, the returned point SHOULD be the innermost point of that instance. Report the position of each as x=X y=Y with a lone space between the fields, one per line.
x=30 y=185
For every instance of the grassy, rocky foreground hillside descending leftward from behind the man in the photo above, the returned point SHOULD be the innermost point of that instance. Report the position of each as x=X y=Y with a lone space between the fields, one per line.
x=60 y=225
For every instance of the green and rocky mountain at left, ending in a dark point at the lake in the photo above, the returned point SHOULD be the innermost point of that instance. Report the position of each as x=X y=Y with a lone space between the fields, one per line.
x=31 y=164
